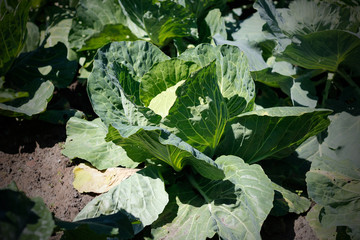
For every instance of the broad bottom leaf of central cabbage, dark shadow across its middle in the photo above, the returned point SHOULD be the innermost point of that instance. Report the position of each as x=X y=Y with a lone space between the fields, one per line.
x=234 y=208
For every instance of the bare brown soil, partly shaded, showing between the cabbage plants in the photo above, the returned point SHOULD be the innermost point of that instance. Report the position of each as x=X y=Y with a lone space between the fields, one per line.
x=30 y=155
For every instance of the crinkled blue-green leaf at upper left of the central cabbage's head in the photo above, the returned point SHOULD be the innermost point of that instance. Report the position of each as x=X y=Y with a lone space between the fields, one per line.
x=118 y=67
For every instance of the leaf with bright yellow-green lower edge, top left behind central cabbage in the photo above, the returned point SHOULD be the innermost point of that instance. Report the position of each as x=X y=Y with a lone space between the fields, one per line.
x=97 y=23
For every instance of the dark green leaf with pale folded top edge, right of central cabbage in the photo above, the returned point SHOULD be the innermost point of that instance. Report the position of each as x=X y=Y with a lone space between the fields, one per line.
x=271 y=132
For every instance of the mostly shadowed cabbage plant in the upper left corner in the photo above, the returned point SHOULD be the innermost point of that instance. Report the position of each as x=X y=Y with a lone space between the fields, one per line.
x=31 y=69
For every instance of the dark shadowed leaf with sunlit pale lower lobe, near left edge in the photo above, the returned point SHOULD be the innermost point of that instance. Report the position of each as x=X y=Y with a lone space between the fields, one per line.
x=37 y=72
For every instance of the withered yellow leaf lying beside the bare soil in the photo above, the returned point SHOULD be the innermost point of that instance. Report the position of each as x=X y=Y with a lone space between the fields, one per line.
x=88 y=179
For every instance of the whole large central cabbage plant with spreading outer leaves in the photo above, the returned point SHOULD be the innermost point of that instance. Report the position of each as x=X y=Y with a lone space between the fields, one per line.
x=191 y=124
